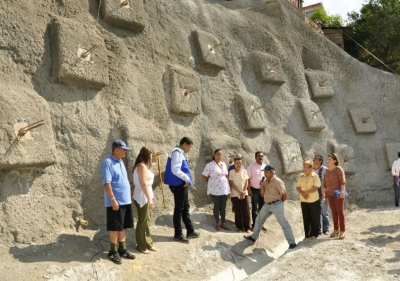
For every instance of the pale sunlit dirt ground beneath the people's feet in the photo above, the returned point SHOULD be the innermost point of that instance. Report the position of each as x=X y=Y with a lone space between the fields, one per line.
x=370 y=251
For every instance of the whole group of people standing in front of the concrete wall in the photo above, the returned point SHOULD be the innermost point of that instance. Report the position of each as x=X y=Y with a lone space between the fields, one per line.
x=259 y=182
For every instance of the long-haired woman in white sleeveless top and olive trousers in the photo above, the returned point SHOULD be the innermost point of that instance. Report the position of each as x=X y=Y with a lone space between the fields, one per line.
x=143 y=197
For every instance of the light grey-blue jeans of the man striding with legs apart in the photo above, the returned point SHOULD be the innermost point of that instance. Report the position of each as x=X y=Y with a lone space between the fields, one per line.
x=278 y=210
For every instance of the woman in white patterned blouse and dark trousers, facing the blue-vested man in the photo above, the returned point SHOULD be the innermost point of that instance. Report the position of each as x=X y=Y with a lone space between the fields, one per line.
x=215 y=174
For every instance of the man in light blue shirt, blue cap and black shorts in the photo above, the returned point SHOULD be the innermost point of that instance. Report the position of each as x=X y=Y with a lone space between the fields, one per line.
x=117 y=199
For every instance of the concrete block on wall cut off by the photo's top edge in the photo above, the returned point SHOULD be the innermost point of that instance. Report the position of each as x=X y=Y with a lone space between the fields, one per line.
x=129 y=16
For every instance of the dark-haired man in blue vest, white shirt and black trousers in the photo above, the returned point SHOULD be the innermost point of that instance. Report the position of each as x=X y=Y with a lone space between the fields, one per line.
x=178 y=177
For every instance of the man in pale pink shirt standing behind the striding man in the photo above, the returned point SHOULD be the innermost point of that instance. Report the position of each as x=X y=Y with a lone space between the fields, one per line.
x=255 y=173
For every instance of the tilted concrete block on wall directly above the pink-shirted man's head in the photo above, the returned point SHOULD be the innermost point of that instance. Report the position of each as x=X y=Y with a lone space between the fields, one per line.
x=252 y=111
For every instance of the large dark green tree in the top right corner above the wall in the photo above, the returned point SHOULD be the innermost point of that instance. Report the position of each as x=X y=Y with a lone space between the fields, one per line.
x=377 y=28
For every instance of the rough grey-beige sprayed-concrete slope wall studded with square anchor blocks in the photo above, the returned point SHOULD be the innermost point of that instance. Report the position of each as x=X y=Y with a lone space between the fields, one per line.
x=238 y=75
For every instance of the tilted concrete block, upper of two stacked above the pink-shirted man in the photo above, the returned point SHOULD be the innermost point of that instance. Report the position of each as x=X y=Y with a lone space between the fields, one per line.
x=268 y=68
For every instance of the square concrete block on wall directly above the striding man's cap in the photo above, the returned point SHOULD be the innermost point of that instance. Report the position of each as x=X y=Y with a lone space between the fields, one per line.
x=290 y=155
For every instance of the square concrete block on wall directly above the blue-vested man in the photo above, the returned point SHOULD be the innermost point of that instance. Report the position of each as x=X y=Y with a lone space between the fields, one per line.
x=185 y=89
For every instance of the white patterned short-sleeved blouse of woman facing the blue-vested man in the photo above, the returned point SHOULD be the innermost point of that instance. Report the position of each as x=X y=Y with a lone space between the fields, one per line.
x=217 y=182
